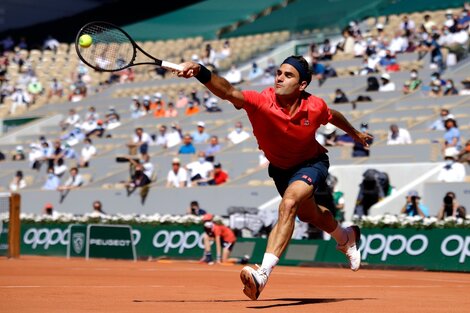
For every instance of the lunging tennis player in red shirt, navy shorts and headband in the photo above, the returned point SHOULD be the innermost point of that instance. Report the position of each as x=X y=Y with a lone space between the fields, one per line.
x=284 y=120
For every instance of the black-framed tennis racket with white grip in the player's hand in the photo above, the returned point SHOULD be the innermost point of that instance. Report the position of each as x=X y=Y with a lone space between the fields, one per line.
x=112 y=49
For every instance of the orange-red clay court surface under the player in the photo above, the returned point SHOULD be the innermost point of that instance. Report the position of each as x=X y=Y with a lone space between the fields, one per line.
x=46 y=284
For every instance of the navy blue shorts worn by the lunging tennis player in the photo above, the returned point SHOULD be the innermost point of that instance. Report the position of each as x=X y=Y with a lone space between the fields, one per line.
x=313 y=172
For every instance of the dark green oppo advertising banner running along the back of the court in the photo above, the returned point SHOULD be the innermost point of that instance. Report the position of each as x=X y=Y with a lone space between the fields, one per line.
x=431 y=249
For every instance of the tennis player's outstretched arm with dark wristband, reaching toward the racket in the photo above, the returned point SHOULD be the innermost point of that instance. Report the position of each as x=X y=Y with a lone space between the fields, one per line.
x=218 y=85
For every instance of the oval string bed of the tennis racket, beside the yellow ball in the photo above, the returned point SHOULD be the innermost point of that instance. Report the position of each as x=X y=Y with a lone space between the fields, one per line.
x=111 y=49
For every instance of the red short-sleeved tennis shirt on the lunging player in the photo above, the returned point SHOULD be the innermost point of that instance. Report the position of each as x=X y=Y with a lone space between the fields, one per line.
x=286 y=140
